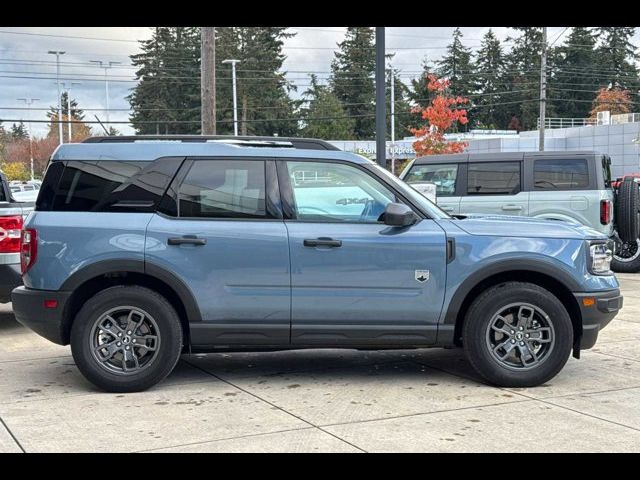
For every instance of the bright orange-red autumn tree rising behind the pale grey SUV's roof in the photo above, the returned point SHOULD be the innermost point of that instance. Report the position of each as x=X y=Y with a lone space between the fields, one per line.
x=441 y=115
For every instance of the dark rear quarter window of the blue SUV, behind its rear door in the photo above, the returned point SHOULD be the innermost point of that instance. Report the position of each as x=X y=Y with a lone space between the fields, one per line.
x=114 y=186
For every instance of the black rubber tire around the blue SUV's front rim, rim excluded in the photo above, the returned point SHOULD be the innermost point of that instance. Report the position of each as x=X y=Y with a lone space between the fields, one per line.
x=477 y=328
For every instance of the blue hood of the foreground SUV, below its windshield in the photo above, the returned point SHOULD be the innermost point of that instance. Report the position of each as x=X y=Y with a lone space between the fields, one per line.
x=511 y=226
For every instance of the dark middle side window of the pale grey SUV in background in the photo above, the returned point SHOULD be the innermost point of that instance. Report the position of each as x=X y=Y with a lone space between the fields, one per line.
x=494 y=178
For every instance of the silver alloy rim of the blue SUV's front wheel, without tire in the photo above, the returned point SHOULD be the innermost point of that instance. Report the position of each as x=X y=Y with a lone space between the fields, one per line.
x=520 y=336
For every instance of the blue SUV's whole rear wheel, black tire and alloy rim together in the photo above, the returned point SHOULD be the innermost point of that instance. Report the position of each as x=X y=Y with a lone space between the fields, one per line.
x=126 y=339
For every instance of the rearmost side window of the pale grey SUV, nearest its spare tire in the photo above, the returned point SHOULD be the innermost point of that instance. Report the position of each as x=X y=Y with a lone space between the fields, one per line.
x=561 y=174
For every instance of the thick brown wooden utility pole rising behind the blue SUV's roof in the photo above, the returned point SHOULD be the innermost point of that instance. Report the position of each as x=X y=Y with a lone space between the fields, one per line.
x=208 y=80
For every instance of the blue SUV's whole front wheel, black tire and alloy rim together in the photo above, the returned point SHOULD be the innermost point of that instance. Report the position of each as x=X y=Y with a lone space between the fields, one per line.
x=517 y=335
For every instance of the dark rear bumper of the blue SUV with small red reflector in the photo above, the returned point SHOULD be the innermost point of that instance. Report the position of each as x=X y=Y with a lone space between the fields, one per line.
x=29 y=309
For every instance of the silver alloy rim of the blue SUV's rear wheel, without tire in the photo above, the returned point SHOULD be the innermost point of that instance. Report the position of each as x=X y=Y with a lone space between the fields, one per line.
x=125 y=340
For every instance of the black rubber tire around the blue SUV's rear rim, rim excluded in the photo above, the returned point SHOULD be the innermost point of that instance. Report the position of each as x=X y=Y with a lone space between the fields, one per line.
x=163 y=358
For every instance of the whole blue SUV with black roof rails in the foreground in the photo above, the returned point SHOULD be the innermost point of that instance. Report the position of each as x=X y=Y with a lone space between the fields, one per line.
x=142 y=249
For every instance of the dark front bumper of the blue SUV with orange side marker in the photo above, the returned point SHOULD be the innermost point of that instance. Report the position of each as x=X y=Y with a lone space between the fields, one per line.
x=596 y=314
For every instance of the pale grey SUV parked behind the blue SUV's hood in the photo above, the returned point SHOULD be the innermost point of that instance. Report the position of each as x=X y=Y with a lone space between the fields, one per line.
x=568 y=186
